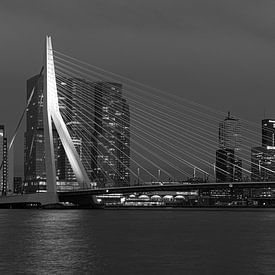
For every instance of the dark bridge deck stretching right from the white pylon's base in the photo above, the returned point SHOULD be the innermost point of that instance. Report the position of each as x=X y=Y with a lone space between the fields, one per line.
x=82 y=194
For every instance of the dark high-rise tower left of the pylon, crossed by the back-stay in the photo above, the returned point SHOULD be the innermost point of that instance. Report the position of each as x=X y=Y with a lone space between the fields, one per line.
x=34 y=155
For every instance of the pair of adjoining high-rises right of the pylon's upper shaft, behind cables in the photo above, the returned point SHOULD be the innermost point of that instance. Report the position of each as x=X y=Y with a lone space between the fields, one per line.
x=100 y=130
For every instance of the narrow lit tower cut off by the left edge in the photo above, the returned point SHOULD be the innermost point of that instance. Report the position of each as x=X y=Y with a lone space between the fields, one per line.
x=3 y=161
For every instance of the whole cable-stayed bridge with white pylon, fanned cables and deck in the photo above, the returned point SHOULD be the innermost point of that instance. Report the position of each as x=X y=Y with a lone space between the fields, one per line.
x=103 y=133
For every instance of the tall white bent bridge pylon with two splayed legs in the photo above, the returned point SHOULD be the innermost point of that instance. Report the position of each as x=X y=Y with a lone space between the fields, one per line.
x=51 y=114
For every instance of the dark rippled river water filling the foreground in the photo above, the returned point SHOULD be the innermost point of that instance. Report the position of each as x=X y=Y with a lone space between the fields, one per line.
x=137 y=242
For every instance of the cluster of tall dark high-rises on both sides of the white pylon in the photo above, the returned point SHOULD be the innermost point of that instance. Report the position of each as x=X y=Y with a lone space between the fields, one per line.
x=98 y=120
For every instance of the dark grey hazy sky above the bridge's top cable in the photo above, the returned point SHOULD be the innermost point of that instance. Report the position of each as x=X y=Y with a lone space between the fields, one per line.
x=219 y=53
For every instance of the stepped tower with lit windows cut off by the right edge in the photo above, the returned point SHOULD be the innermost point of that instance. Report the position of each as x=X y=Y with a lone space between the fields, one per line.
x=263 y=157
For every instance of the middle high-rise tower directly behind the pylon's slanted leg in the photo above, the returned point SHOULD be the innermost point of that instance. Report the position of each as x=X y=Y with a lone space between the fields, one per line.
x=79 y=119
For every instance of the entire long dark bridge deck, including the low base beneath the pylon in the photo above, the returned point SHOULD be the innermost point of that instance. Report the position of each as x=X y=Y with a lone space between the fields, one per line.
x=86 y=197
